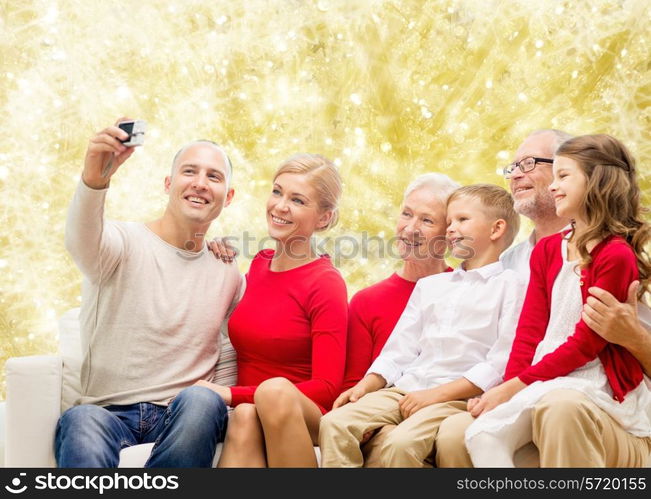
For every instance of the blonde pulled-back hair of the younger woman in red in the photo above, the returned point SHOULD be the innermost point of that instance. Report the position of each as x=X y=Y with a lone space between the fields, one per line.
x=323 y=176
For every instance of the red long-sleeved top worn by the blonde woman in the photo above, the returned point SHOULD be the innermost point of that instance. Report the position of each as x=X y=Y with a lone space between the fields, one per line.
x=291 y=324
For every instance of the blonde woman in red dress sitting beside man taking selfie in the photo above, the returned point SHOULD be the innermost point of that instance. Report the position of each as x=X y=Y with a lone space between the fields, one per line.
x=289 y=329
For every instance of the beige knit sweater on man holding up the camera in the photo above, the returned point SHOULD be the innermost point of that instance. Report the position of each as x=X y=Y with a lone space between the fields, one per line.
x=150 y=313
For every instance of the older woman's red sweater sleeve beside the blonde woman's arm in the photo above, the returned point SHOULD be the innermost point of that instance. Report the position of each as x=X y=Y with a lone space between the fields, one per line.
x=359 y=349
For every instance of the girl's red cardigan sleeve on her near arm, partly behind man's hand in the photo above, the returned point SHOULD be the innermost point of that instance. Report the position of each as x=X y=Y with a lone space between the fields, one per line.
x=613 y=270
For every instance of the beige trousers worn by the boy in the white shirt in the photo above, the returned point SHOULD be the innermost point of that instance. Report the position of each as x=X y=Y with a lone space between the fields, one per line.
x=407 y=446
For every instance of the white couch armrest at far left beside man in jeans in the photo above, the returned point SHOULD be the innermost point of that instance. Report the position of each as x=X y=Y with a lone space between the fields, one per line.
x=33 y=407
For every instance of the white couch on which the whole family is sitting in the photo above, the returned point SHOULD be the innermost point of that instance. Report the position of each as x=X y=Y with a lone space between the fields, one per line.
x=40 y=388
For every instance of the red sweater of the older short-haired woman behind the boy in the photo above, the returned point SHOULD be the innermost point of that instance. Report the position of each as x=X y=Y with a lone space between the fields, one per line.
x=372 y=315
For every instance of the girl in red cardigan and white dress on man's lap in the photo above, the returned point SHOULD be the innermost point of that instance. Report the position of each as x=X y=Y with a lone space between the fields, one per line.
x=595 y=186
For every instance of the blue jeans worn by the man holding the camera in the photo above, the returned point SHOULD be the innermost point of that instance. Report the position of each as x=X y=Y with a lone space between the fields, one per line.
x=185 y=433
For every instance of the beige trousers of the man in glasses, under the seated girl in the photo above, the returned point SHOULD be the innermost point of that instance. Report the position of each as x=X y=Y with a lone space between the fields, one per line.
x=569 y=431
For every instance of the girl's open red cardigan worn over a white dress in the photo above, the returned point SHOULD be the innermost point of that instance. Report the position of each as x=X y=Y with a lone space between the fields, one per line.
x=613 y=268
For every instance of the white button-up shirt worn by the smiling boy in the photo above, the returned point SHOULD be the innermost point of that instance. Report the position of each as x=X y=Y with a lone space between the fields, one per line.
x=456 y=324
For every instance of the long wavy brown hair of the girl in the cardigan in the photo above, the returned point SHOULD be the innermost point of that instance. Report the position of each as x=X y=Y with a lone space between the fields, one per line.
x=612 y=197
